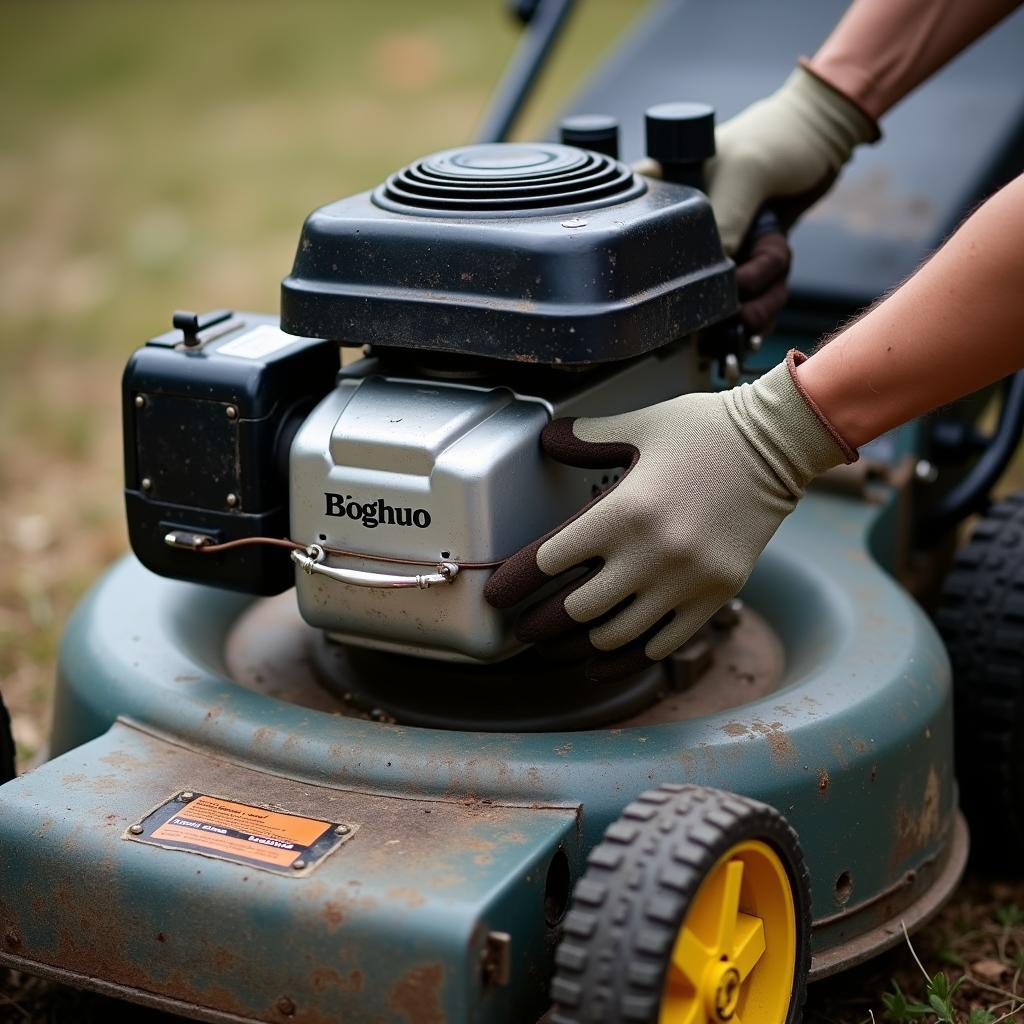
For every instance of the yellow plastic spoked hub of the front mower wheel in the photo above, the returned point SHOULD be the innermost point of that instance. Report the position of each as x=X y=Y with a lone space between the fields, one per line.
x=735 y=958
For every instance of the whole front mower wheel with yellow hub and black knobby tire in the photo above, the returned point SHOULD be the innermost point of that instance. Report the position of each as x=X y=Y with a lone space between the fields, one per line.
x=694 y=909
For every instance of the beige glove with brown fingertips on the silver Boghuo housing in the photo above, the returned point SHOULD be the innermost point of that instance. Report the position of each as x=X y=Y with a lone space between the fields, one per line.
x=710 y=478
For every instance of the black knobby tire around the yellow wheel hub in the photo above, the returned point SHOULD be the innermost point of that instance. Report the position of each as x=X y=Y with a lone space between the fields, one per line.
x=627 y=909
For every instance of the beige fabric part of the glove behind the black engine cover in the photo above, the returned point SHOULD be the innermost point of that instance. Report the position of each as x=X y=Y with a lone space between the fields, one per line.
x=790 y=147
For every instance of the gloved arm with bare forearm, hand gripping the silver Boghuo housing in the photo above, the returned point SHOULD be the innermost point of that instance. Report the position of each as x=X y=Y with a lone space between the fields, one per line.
x=711 y=477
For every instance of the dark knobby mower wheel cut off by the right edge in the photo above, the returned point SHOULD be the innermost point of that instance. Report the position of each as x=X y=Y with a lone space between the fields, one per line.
x=982 y=618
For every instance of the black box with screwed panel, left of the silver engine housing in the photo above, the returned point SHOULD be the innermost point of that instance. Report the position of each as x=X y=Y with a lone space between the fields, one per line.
x=210 y=410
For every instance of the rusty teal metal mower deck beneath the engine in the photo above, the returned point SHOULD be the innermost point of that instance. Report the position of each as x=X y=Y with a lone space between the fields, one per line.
x=443 y=900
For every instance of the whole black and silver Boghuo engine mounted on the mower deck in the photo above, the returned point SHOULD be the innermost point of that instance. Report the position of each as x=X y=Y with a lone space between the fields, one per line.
x=492 y=288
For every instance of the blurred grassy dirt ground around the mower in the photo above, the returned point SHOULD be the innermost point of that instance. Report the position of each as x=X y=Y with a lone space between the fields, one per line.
x=162 y=157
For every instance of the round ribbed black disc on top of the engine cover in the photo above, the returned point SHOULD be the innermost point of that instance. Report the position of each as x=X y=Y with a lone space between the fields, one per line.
x=506 y=180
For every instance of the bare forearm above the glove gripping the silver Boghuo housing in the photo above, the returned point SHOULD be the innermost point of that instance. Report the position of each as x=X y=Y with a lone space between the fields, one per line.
x=955 y=327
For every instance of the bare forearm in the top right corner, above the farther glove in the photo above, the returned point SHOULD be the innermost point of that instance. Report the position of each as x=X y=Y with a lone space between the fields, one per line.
x=882 y=50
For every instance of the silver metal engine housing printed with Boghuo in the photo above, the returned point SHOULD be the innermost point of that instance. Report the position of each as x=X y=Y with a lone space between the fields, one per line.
x=433 y=471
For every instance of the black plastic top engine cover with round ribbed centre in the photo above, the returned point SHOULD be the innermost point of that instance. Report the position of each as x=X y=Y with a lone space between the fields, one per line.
x=538 y=253
